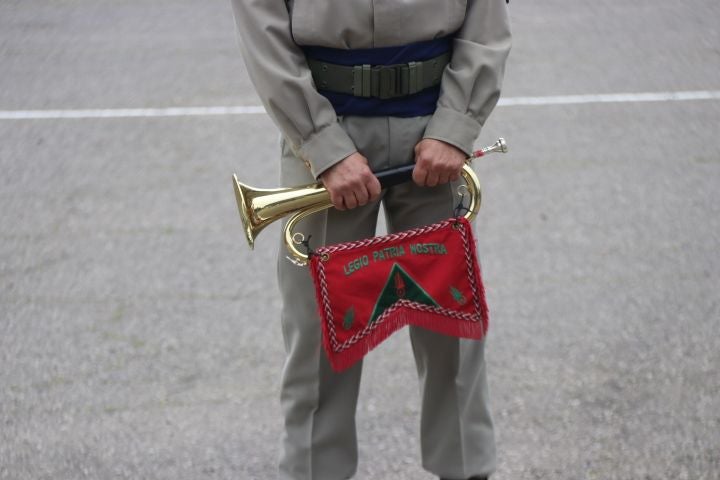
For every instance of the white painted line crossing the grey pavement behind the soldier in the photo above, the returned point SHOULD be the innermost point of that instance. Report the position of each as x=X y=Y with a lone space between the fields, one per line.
x=253 y=110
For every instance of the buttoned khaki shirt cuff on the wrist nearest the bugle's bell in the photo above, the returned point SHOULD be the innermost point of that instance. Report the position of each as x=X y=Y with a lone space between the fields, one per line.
x=325 y=148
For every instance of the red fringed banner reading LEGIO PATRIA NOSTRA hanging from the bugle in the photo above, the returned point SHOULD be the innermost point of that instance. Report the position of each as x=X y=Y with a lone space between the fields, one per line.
x=428 y=277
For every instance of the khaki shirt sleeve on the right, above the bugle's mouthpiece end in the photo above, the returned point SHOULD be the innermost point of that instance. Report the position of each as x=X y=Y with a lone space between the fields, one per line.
x=470 y=86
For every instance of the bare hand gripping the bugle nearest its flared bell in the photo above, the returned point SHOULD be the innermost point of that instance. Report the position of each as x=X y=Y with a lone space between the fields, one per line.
x=351 y=183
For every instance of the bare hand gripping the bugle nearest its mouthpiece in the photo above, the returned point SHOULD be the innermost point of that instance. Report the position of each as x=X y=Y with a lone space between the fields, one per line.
x=437 y=162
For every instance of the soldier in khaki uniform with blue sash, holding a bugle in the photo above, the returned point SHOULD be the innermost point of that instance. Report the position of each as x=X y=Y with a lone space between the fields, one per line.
x=356 y=86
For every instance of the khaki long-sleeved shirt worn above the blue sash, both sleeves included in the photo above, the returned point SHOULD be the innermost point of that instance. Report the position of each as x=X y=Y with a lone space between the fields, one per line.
x=271 y=30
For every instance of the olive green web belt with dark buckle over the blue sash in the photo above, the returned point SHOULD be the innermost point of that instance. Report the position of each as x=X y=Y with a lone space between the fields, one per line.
x=379 y=81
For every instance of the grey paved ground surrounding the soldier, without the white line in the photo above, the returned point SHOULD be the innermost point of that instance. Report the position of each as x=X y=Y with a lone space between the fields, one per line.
x=139 y=336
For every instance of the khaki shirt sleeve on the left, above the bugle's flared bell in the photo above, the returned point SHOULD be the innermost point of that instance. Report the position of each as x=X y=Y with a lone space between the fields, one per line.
x=278 y=69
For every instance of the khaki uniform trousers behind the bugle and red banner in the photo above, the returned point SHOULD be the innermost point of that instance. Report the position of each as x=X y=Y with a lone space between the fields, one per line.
x=319 y=441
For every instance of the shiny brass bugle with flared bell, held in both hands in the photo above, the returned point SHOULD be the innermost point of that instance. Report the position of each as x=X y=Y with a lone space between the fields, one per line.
x=259 y=207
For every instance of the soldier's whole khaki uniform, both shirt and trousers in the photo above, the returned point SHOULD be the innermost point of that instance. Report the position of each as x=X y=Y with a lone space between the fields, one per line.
x=319 y=405
